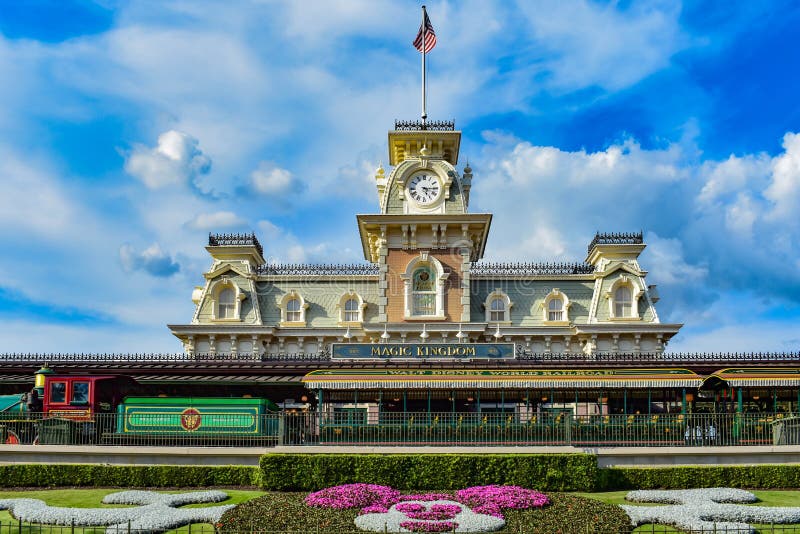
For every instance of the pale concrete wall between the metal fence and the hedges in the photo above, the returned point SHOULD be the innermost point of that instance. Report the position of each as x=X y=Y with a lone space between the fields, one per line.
x=612 y=456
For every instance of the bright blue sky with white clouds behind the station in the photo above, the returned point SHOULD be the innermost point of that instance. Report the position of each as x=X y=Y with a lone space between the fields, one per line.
x=129 y=130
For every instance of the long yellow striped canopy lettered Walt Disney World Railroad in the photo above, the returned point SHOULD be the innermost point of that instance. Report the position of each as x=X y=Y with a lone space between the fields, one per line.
x=499 y=379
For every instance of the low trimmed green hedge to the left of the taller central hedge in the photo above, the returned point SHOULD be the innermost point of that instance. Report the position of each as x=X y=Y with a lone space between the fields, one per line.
x=129 y=476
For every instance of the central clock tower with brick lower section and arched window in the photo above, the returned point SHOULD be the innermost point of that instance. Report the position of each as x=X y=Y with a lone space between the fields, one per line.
x=424 y=239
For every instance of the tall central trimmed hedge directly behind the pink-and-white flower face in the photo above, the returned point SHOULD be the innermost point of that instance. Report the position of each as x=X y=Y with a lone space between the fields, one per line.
x=546 y=472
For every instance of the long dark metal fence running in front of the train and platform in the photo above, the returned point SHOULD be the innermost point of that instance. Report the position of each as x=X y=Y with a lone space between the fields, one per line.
x=355 y=427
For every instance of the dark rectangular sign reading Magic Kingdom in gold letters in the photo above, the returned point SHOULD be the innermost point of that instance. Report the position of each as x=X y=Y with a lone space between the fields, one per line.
x=422 y=351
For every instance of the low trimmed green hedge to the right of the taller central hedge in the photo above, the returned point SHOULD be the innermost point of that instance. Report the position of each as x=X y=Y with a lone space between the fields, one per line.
x=682 y=477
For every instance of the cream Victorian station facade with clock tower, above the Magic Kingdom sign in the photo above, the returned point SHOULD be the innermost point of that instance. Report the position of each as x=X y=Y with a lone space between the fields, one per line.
x=423 y=279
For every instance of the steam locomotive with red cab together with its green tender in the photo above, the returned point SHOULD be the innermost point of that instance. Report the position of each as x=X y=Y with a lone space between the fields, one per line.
x=83 y=409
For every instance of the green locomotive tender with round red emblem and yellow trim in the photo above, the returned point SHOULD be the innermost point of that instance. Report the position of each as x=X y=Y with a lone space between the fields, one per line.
x=197 y=417
